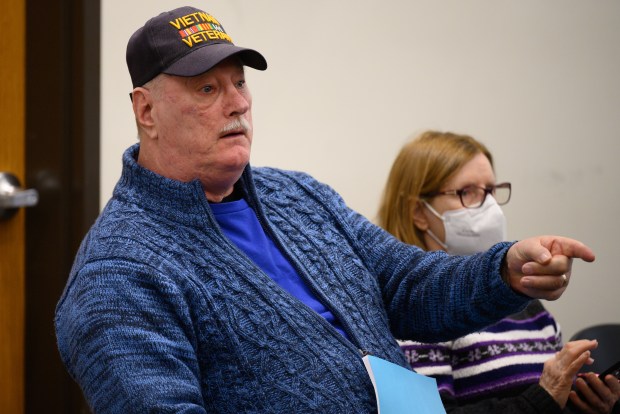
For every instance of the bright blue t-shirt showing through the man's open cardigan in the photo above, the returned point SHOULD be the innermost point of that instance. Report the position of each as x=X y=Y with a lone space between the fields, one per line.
x=240 y=224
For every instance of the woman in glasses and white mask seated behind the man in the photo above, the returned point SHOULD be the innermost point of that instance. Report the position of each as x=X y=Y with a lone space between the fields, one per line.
x=442 y=194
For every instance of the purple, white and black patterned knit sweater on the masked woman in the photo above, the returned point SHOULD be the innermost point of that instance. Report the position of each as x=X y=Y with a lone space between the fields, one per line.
x=503 y=360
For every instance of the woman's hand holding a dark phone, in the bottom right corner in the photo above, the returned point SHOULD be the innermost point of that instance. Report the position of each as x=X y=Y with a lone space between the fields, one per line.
x=595 y=396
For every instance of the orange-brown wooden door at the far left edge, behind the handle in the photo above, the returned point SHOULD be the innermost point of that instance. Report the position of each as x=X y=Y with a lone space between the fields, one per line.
x=12 y=246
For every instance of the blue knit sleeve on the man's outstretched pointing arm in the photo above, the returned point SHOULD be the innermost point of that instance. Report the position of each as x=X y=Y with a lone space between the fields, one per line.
x=428 y=296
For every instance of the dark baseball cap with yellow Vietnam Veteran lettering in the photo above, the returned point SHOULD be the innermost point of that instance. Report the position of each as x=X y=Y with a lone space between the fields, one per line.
x=183 y=42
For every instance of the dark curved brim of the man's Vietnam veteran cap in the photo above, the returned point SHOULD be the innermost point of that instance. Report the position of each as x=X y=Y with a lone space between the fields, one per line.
x=202 y=59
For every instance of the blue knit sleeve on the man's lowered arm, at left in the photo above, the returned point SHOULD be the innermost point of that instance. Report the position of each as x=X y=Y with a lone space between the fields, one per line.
x=123 y=339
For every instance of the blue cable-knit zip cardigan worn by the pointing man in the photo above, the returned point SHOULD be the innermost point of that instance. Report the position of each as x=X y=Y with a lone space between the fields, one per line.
x=162 y=313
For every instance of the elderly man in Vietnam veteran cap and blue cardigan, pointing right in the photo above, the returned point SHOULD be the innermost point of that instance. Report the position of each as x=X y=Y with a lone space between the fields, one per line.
x=210 y=286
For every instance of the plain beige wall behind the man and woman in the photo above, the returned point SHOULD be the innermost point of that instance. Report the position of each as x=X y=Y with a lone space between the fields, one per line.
x=349 y=81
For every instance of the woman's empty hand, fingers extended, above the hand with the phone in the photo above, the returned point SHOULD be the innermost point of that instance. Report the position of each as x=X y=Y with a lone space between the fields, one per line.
x=559 y=371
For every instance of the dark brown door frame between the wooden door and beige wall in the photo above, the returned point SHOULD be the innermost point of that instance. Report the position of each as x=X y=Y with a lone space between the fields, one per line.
x=62 y=163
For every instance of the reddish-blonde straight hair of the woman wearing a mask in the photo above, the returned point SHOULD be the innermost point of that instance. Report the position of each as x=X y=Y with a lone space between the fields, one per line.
x=423 y=166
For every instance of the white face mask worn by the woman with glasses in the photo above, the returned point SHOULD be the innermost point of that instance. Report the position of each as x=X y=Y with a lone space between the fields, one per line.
x=471 y=230
